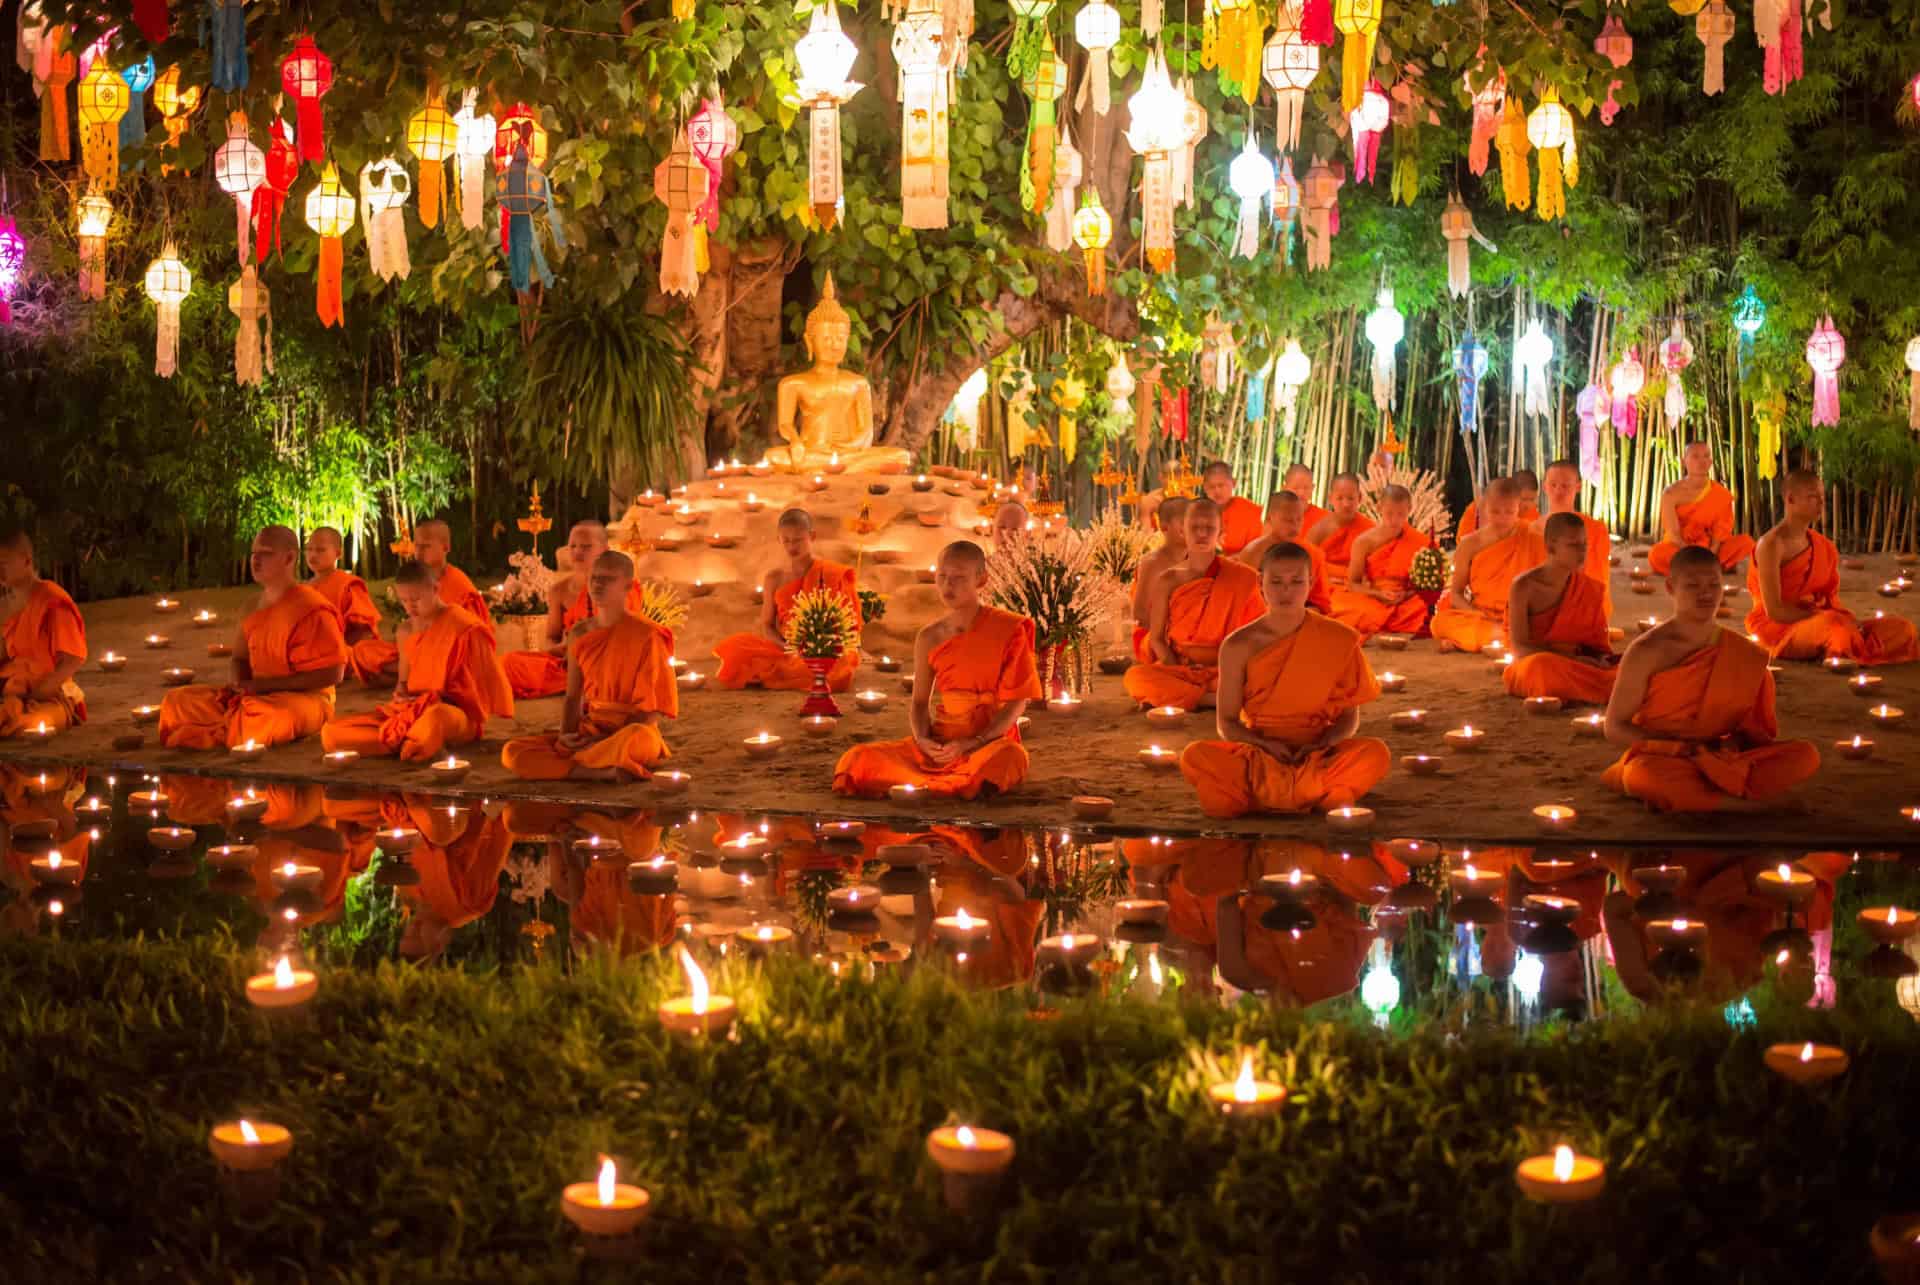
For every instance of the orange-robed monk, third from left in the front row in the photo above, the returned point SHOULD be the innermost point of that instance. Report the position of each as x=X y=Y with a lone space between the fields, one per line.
x=450 y=681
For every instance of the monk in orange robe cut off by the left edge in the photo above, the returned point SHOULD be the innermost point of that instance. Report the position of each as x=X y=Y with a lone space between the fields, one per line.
x=43 y=644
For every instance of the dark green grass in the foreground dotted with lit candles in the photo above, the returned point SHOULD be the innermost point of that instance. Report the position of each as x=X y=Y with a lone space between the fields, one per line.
x=439 y=1113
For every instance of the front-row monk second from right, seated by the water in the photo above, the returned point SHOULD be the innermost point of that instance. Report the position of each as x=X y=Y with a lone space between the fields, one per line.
x=1291 y=687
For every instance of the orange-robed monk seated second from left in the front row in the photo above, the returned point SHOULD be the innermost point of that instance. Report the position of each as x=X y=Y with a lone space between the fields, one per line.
x=287 y=664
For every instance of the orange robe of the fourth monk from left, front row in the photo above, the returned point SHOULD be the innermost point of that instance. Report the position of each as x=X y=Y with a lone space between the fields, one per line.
x=625 y=675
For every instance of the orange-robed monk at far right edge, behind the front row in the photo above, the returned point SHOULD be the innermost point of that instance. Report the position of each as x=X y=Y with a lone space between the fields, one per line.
x=1796 y=593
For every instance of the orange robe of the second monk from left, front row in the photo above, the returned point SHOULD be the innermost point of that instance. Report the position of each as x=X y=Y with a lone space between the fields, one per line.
x=297 y=635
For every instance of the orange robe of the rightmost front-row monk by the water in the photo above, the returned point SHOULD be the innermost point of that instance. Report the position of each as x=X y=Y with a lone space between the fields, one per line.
x=1723 y=691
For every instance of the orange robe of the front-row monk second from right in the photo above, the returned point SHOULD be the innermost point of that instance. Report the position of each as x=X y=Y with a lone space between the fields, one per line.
x=1295 y=691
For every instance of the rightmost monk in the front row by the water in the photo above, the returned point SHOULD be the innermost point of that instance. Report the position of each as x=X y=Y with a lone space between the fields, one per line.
x=1694 y=708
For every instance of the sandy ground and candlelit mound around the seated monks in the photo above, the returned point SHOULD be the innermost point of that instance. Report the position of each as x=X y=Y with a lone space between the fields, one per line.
x=1479 y=798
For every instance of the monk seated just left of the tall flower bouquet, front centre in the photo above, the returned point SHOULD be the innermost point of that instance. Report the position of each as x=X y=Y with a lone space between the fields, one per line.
x=980 y=660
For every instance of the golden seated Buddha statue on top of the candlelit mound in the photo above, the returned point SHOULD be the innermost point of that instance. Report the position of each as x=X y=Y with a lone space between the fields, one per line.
x=828 y=412
